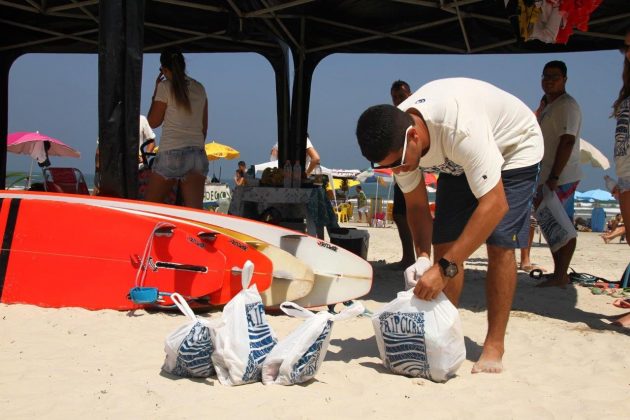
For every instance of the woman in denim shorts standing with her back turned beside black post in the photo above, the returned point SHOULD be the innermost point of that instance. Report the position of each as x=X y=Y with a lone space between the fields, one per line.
x=180 y=106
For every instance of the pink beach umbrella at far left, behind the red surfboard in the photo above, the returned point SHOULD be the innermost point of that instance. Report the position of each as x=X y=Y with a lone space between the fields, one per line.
x=33 y=144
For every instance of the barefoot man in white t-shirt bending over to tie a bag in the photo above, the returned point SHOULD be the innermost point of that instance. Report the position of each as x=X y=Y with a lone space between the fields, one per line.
x=487 y=146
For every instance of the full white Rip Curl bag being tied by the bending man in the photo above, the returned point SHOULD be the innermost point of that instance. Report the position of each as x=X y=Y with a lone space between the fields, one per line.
x=420 y=338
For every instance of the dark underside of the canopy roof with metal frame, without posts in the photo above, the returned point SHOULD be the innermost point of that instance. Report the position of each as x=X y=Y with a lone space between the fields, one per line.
x=318 y=27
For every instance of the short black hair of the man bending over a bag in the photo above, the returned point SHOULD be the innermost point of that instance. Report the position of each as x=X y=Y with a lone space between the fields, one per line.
x=381 y=130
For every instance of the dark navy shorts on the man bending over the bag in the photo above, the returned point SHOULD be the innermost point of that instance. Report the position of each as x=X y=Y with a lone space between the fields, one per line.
x=455 y=204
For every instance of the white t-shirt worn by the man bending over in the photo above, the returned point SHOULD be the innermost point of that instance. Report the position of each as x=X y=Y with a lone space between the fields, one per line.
x=474 y=128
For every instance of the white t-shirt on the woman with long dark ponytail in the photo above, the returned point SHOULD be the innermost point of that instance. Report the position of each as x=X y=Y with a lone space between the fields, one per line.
x=180 y=128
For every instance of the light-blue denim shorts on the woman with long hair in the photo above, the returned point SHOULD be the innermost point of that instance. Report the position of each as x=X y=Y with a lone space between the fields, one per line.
x=177 y=163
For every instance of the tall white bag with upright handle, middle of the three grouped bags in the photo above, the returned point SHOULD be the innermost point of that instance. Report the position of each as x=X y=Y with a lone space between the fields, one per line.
x=243 y=338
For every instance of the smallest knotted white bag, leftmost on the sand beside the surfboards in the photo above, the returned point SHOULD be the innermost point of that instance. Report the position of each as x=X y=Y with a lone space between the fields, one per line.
x=189 y=348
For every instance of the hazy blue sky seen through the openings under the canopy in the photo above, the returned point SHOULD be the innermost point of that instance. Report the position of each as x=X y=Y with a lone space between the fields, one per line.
x=57 y=95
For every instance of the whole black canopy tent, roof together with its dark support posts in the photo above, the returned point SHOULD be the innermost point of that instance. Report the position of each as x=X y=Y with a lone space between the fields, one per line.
x=311 y=30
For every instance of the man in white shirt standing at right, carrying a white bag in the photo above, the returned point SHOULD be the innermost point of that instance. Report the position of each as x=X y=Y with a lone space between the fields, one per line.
x=560 y=122
